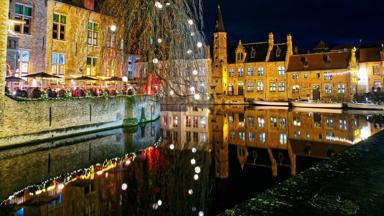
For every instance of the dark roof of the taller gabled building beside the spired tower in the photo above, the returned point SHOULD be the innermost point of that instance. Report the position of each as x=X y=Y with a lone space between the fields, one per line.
x=256 y=52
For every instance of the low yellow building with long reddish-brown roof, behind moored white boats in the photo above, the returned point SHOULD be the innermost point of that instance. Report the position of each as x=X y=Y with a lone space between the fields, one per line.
x=323 y=76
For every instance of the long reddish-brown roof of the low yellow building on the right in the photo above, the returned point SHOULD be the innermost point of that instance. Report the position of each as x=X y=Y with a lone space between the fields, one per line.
x=319 y=61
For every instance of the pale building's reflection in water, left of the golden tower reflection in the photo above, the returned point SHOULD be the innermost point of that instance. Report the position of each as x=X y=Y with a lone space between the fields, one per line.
x=185 y=126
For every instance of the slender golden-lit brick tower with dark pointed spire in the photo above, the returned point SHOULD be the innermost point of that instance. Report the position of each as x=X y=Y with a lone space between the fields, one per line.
x=218 y=81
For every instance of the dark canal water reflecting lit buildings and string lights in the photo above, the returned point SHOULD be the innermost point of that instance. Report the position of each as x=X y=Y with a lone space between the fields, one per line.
x=194 y=160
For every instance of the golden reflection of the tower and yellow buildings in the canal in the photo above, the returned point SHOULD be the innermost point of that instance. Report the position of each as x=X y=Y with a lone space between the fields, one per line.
x=277 y=137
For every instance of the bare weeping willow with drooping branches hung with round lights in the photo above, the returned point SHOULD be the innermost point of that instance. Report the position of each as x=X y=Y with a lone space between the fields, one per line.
x=166 y=35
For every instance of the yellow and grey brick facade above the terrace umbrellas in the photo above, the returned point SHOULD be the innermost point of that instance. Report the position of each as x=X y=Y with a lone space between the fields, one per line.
x=65 y=39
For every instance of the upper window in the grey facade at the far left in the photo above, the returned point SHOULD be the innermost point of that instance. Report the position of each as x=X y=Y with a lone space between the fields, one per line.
x=24 y=14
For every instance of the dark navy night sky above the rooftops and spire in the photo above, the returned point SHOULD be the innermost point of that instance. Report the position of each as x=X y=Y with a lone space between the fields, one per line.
x=309 y=21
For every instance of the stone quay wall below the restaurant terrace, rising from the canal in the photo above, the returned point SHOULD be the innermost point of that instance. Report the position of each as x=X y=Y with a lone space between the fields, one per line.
x=33 y=121
